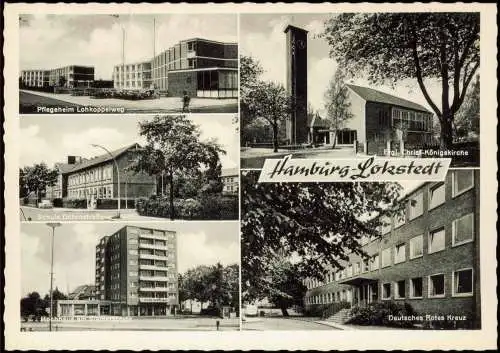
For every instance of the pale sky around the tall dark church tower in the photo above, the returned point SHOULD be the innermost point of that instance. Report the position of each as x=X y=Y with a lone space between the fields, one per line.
x=262 y=37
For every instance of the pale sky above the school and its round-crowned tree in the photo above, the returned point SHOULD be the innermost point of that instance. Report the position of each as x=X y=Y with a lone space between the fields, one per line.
x=51 y=138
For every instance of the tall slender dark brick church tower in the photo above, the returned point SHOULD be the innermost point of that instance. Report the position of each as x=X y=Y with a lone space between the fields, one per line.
x=296 y=83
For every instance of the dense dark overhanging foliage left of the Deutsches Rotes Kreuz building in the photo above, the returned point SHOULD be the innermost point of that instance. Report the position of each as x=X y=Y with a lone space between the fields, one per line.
x=318 y=224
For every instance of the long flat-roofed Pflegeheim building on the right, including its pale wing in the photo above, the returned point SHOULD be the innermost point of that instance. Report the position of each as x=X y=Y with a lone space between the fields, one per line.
x=200 y=67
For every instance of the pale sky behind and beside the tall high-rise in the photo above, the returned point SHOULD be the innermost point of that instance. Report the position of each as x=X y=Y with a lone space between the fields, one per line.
x=199 y=243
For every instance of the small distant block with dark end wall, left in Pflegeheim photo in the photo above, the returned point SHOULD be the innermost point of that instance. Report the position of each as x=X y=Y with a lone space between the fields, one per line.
x=72 y=76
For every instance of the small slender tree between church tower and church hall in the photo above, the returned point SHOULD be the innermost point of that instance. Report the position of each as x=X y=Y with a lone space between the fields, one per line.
x=337 y=104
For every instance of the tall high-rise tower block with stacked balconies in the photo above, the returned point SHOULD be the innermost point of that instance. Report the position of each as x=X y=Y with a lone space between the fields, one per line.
x=136 y=271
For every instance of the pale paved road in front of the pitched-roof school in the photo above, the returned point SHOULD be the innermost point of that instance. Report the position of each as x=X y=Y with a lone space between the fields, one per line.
x=61 y=214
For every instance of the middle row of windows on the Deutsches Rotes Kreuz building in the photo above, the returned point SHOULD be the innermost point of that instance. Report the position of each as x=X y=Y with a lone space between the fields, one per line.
x=462 y=233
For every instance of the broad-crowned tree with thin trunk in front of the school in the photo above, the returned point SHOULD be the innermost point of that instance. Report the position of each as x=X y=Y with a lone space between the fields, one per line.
x=174 y=147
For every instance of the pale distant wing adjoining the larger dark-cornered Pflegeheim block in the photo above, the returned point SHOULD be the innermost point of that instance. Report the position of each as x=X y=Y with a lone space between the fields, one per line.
x=135 y=76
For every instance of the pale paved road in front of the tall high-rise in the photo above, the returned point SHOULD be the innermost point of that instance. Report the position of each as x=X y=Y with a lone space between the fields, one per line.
x=190 y=324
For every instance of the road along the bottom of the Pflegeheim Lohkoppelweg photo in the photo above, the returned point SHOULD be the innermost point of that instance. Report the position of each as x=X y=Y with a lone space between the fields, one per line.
x=29 y=101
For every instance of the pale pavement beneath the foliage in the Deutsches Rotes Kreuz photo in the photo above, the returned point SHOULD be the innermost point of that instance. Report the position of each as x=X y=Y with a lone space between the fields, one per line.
x=282 y=324
